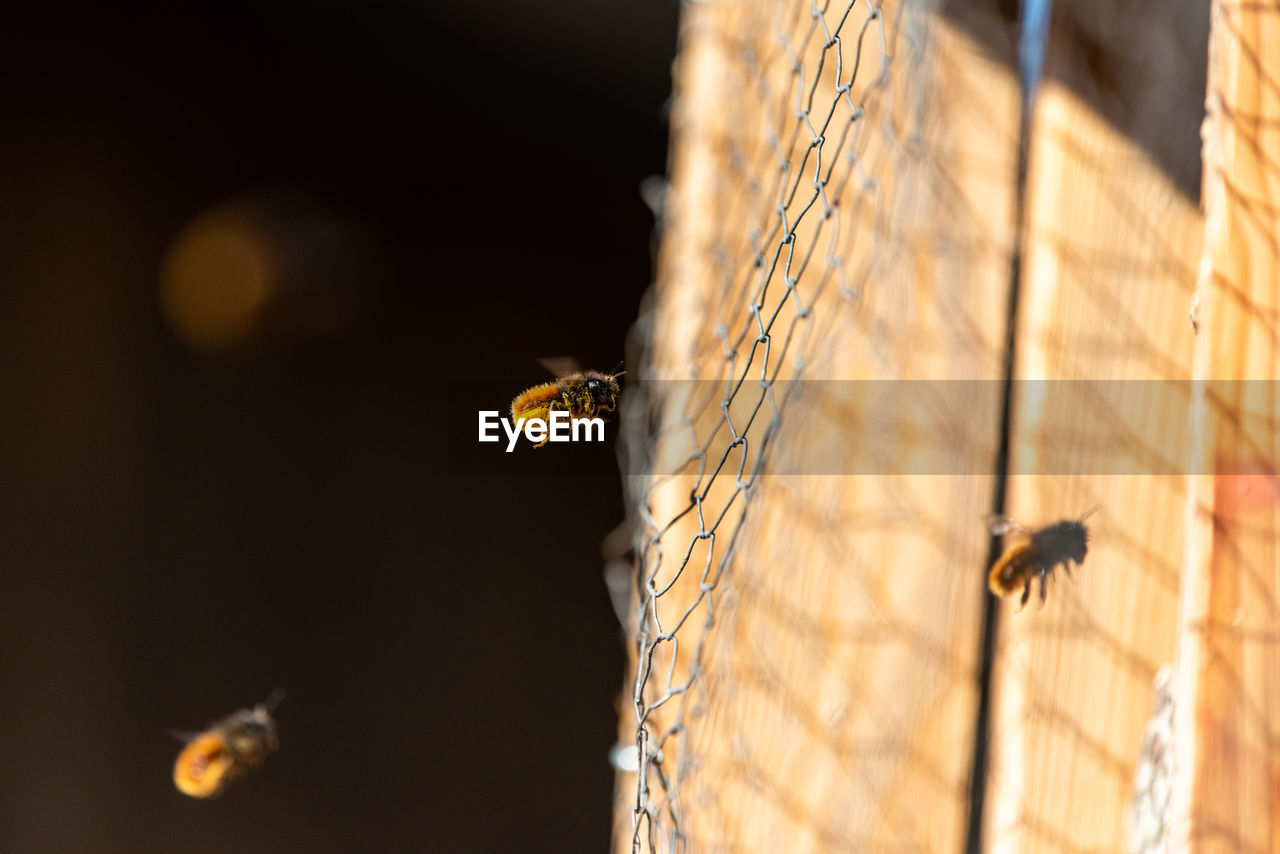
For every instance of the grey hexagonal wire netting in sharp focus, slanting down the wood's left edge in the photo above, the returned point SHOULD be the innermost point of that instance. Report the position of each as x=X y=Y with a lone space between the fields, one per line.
x=783 y=170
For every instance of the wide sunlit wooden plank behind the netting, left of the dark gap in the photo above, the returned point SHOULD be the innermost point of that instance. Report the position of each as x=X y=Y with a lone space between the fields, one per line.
x=838 y=654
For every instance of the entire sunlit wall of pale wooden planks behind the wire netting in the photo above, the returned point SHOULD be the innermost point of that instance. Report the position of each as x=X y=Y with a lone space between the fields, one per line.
x=820 y=692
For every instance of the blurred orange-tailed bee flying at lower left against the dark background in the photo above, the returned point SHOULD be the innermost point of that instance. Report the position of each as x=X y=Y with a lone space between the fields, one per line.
x=227 y=750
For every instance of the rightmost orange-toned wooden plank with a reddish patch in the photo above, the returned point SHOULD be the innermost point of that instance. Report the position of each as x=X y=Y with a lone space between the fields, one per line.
x=1227 y=692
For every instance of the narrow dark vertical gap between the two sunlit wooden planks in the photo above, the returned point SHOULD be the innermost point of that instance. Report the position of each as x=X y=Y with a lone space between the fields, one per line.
x=980 y=770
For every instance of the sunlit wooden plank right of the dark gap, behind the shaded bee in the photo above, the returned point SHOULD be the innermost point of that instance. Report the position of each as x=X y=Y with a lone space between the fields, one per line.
x=1108 y=278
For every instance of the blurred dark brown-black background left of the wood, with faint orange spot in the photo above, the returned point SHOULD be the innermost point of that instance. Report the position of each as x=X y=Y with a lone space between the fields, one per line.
x=249 y=250
